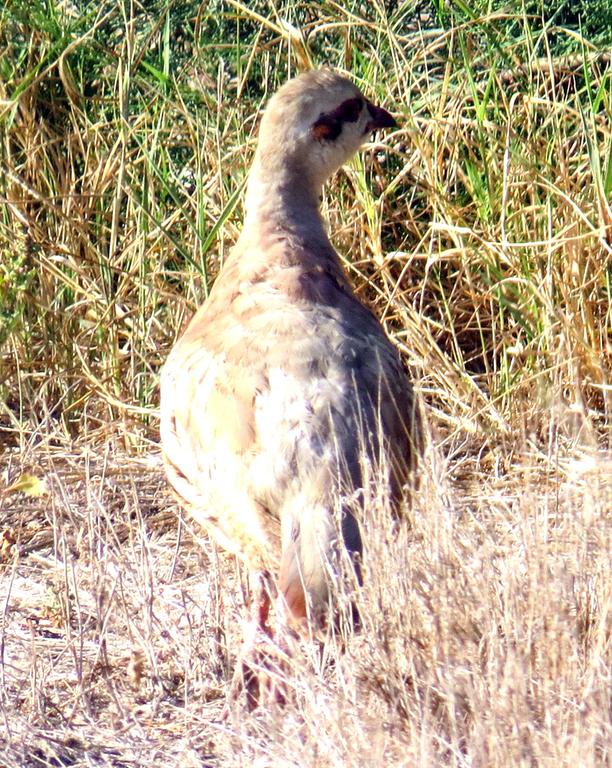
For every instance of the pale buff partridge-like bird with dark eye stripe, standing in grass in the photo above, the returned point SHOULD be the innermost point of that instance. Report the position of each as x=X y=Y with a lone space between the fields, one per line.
x=285 y=396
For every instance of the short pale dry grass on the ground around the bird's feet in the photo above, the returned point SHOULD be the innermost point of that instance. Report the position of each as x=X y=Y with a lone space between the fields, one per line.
x=485 y=626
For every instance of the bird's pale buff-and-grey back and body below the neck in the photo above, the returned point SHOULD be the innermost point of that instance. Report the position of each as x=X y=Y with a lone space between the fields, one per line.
x=279 y=402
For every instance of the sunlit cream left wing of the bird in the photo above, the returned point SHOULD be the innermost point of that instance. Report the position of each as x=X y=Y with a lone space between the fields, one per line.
x=208 y=439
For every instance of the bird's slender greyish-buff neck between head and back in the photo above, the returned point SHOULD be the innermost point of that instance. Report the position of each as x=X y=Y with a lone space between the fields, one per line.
x=284 y=199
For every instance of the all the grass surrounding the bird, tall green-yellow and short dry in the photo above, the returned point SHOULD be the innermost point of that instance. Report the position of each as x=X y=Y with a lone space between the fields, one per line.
x=481 y=233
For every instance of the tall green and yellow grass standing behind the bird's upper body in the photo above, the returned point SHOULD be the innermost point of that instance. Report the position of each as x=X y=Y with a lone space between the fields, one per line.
x=126 y=140
